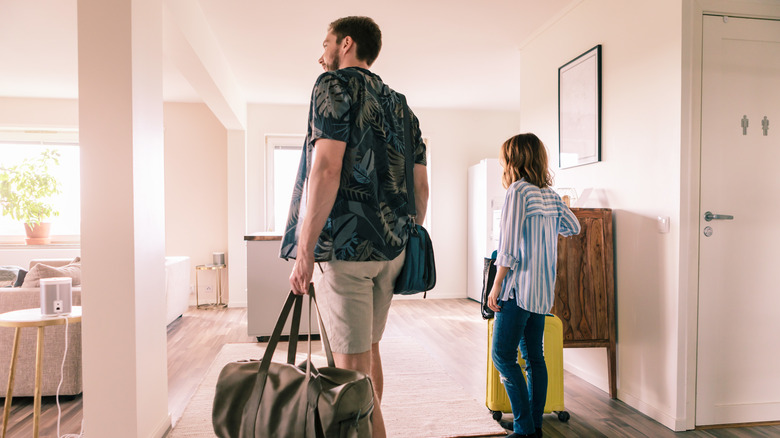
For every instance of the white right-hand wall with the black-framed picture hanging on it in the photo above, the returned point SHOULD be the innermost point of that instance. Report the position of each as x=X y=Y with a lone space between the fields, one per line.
x=638 y=178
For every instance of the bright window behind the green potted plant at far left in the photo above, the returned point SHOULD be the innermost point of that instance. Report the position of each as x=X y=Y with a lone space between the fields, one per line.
x=17 y=146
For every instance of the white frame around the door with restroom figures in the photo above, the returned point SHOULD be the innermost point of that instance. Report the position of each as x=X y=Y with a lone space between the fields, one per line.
x=690 y=157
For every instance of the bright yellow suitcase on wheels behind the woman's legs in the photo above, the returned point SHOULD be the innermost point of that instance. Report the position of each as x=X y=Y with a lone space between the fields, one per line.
x=496 y=399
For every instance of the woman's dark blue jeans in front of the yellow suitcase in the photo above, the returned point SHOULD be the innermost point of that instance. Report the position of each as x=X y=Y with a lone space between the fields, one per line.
x=515 y=327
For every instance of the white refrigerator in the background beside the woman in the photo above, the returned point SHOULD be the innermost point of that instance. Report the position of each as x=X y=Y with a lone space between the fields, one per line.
x=486 y=198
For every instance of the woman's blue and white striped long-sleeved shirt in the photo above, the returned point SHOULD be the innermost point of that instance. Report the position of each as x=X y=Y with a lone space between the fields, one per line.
x=531 y=220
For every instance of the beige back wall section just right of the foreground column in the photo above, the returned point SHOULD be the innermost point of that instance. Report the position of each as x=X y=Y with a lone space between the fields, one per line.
x=195 y=186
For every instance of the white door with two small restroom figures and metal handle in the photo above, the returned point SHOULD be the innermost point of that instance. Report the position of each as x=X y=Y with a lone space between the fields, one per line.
x=738 y=363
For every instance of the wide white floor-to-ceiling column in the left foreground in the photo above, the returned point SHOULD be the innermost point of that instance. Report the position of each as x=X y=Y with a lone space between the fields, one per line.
x=124 y=343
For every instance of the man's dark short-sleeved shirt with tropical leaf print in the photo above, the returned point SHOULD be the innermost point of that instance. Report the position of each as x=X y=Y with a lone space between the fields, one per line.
x=369 y=219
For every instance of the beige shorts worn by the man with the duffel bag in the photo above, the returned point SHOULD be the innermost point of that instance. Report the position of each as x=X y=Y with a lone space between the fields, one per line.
x=354 y=300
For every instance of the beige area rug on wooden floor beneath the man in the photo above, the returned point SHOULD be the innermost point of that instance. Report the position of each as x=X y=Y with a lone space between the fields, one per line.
x=420 y=400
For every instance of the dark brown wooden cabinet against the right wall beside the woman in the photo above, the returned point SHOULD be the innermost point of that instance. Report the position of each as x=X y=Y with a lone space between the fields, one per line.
x=585 y=286
